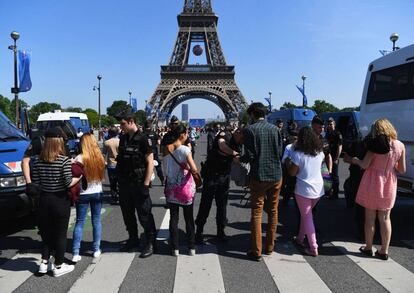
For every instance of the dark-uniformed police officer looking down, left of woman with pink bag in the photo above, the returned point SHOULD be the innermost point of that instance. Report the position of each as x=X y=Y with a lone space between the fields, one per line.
x=135 y=163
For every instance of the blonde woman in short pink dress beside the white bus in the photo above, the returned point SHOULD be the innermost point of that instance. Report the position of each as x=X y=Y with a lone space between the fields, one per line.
x=378 y=188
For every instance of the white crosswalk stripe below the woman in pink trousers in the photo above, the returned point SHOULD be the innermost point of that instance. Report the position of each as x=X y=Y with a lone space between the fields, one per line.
x=291 y=272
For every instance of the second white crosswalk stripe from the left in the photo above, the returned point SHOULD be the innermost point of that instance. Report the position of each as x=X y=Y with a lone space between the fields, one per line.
x=104 y=275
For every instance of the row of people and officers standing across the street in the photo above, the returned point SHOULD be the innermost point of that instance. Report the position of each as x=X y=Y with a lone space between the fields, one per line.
x=287 y=161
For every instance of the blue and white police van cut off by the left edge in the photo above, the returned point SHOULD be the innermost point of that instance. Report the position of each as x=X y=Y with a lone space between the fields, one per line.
x=13 y=200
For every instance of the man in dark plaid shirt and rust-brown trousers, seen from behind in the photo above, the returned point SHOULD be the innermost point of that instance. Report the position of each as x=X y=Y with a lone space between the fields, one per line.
x=263 y=148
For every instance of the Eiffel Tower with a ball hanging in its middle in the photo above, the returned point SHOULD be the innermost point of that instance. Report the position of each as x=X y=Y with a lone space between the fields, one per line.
x=185 y=78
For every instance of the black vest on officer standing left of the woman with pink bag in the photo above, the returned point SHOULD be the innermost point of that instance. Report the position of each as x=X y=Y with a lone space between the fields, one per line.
x=131 y=161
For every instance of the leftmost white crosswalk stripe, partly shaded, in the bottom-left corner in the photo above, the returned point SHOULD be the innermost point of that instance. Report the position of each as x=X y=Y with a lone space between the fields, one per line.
x=17 y=270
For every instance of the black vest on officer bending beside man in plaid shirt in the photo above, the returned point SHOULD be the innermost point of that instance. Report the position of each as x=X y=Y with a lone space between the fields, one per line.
x=217 y=161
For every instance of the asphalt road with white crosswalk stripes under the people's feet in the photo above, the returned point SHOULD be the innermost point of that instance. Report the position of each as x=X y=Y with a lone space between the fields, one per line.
x=219 y=267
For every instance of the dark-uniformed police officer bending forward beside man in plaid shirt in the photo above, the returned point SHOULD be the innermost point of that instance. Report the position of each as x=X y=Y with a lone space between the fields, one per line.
x=216 y=184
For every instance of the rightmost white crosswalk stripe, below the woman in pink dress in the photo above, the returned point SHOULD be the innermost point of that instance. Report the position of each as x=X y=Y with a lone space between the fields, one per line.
x=391 y=275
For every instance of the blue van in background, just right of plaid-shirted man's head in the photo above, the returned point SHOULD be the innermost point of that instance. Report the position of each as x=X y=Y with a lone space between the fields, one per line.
x=302 y=116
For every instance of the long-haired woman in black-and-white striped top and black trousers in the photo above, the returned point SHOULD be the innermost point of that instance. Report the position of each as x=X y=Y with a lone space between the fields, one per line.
x=52 y=172
